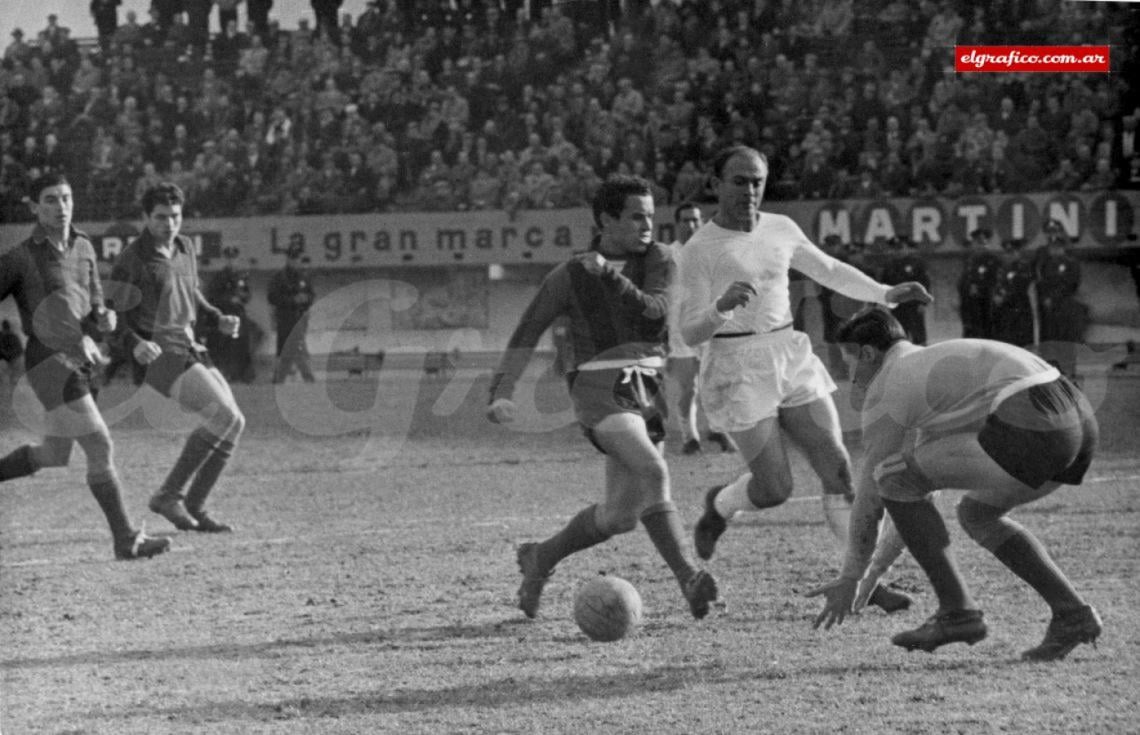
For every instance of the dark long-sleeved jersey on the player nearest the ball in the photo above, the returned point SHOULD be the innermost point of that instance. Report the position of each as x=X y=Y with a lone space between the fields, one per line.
x=616 y=315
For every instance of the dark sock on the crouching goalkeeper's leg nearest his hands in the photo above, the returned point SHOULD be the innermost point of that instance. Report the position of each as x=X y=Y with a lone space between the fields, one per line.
x=926 y=536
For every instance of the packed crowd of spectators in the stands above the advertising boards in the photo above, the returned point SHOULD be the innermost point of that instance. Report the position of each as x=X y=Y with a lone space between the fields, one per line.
x=482 y=104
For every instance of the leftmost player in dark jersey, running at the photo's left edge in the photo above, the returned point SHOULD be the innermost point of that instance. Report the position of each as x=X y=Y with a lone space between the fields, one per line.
x=55 y=281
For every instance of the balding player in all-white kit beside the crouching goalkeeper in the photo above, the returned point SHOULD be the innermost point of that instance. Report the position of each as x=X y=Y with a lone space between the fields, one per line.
x=760 y=379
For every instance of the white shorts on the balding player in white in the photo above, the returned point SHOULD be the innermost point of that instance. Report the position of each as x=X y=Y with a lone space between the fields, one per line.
x=747 y=380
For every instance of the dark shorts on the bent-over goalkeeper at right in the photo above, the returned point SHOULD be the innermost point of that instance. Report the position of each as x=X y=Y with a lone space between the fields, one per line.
x=1044 y=434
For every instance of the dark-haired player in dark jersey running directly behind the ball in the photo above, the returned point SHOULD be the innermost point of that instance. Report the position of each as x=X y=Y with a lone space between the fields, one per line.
x=615 y=300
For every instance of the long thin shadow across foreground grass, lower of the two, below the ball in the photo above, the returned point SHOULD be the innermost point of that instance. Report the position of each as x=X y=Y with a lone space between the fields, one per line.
x=514 y=692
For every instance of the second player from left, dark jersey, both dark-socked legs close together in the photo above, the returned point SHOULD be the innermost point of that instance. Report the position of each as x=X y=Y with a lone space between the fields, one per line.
x=156 y=288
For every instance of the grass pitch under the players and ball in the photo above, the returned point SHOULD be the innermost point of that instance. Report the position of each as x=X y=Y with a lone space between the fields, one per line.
x=371 y=590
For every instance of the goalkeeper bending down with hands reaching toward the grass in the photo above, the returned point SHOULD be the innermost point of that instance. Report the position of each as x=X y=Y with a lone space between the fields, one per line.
x=986 y=418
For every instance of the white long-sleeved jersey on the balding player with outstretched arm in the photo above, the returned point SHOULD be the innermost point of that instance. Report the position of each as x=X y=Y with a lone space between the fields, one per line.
x=715 y=257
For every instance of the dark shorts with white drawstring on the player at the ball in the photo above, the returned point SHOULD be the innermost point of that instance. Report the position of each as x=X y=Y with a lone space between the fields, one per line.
x=600 y=394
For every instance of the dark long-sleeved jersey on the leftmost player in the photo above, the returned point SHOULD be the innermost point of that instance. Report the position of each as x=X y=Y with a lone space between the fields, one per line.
x=55 y=291
